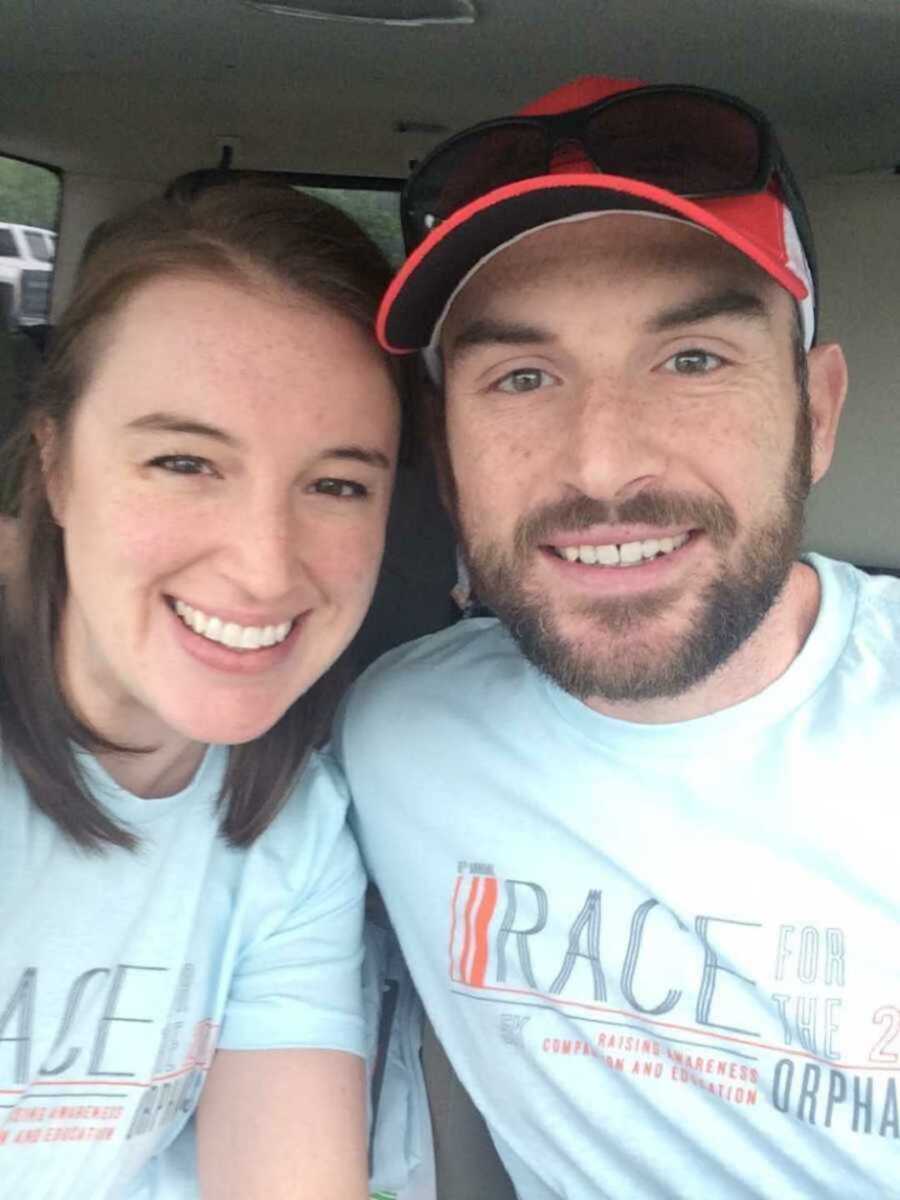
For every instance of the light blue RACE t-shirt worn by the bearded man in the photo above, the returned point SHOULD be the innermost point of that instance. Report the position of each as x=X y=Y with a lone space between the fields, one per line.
x=665 y=961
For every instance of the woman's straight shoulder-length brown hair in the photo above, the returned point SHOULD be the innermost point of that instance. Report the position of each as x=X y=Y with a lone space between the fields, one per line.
x=254 y=233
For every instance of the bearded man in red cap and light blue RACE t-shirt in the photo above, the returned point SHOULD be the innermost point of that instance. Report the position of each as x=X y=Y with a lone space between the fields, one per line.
x=635 y=837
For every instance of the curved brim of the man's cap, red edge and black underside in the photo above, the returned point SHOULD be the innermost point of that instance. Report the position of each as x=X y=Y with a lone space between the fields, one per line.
x=419 y=293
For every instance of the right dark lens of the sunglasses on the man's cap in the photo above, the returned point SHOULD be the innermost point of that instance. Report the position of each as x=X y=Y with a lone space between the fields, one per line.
x=693 y=146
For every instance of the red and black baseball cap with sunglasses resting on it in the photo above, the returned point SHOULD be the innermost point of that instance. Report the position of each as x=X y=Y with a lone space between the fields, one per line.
x=592 y=147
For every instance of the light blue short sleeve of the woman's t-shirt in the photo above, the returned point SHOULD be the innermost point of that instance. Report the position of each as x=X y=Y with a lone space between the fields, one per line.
x=297 y=982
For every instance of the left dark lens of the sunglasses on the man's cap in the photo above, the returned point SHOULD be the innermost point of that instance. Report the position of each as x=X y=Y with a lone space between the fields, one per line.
x=469 y=169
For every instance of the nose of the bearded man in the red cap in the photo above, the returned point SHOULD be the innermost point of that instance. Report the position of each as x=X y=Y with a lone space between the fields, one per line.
x=614 y=448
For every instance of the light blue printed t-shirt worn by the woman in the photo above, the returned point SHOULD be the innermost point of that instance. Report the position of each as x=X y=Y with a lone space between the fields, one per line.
x=121 y=974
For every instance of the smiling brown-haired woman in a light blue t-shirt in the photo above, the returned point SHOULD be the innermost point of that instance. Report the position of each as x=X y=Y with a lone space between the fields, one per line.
x=206 y=479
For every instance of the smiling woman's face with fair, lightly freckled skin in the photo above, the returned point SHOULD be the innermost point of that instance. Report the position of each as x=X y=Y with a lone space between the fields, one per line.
x=224 y=494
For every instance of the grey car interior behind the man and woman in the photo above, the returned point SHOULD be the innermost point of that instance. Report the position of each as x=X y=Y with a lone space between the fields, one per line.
x=104 y=103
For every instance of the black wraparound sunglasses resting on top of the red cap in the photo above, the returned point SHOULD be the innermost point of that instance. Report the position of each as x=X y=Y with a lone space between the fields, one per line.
x=689 y=141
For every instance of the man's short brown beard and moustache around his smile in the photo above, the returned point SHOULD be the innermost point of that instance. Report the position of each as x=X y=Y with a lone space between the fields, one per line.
x=637 y=667
